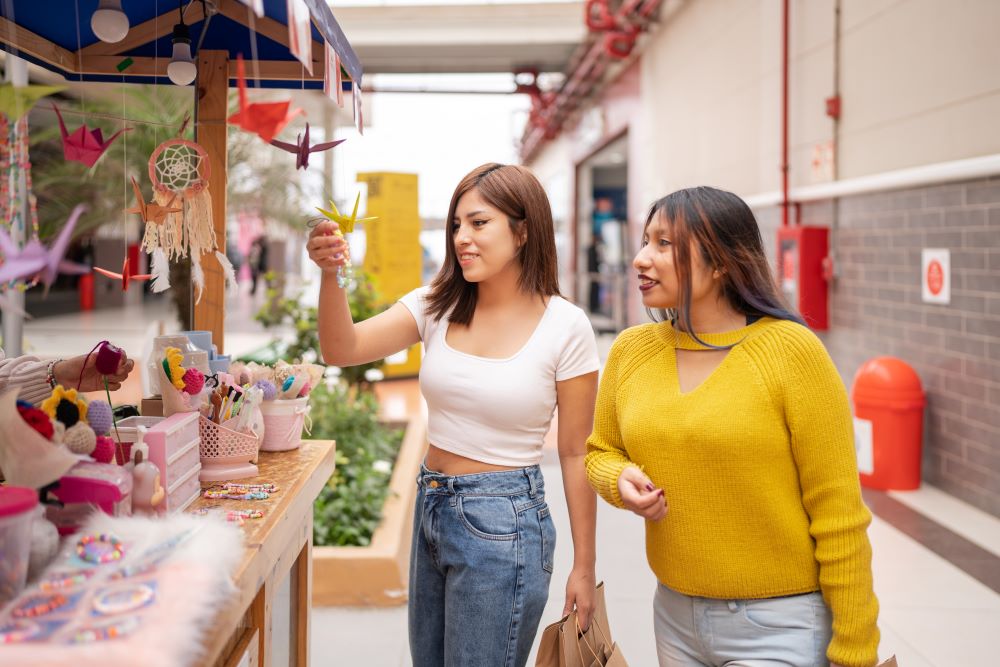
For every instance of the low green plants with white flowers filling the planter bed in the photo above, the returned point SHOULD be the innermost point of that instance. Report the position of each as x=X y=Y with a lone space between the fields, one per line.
x=349 y=508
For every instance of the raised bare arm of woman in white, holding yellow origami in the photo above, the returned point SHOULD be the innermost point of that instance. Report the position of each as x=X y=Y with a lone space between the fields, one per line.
x=342 y=341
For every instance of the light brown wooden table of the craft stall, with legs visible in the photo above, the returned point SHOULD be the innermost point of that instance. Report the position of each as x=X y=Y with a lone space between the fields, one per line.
x=277 y=546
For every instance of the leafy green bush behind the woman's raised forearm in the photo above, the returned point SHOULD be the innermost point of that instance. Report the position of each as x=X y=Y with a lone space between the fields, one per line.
x=279 y=309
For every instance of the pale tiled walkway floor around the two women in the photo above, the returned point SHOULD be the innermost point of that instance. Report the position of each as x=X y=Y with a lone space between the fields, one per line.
x=933 y=613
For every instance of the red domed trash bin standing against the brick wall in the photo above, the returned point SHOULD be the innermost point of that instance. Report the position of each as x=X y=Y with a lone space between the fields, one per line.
x=888 y=401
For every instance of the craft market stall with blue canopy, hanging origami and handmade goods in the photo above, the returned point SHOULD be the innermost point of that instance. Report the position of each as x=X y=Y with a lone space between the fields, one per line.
x=184 y=535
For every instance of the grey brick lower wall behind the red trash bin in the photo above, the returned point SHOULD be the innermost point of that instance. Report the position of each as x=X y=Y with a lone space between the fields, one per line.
x=876 y=309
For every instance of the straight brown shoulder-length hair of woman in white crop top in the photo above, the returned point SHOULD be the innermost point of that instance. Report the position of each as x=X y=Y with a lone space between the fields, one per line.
x=515 y=192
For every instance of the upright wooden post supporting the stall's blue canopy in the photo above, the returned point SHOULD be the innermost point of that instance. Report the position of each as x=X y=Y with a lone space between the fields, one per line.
x=213 y=107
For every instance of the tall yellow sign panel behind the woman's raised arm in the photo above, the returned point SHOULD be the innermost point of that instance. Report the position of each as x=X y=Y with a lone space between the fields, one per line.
x=393 y=256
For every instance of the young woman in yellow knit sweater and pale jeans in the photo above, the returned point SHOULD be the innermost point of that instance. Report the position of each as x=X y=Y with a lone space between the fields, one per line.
x=727 y=427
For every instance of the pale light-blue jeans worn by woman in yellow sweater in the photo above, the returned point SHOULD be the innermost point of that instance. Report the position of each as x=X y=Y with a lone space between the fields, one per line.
x=791 y=631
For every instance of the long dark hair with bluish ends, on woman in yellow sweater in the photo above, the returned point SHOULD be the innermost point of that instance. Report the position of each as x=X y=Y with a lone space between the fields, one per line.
x=725 y=230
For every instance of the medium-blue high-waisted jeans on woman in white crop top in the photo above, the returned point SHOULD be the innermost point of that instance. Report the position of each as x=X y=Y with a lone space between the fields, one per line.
x=480 y=566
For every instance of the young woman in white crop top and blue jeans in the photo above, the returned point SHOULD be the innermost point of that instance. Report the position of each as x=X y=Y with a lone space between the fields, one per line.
x=502 y=350
